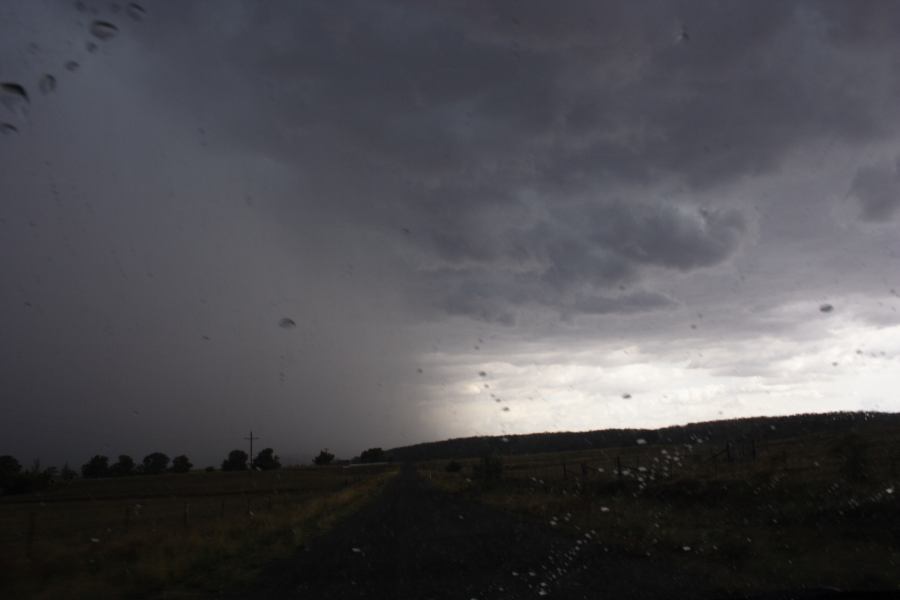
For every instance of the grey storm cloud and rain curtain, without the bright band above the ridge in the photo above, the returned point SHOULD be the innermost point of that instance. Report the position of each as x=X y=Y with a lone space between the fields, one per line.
x=366 y=167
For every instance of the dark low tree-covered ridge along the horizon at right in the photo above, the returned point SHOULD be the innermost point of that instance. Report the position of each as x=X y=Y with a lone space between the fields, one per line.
x=759 y=428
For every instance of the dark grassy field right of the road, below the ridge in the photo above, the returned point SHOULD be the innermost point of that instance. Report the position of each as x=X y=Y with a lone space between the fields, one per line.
x=810 y=511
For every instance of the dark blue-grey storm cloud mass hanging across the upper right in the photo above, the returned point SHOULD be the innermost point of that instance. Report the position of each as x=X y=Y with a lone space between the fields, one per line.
x=485 y=129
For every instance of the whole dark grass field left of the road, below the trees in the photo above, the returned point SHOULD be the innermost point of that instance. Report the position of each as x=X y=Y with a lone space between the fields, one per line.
x=185 y=535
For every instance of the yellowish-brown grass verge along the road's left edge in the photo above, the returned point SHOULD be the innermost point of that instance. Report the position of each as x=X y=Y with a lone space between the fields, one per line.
x=201 y=557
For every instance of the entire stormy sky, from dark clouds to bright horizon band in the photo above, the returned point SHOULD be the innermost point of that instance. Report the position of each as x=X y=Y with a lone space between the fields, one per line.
x=350 y=224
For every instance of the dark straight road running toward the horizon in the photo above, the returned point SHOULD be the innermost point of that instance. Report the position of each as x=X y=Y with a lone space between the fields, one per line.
x=417 y=542
